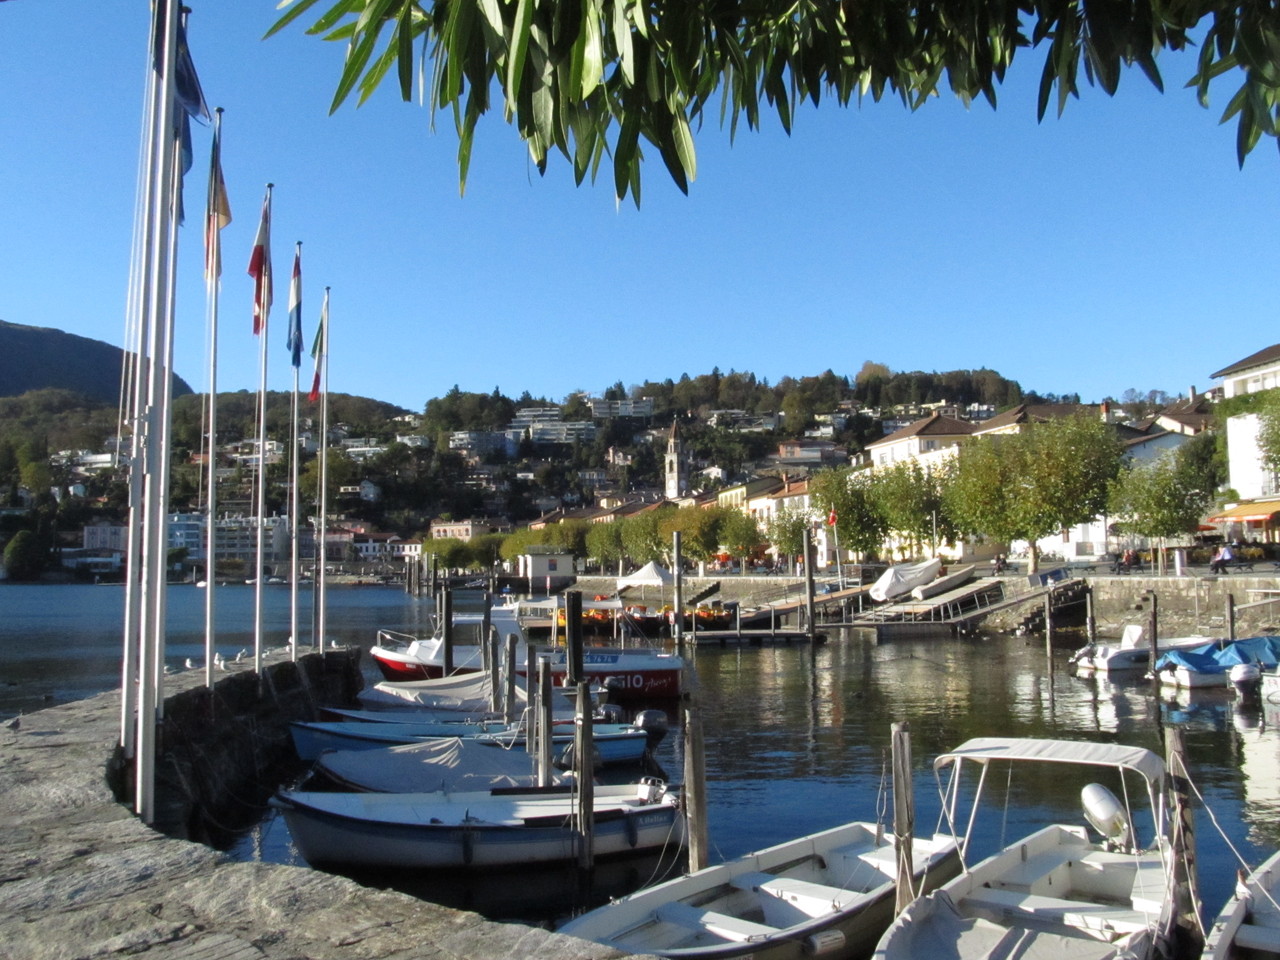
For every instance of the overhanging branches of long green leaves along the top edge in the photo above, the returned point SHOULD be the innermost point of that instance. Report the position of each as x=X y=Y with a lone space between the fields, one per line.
x=595 y=77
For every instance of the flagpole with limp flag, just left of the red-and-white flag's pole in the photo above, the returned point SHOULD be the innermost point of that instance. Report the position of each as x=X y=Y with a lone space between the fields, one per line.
x=214 y=222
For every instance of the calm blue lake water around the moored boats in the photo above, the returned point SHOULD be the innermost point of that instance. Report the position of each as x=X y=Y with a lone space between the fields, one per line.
x=797 y=738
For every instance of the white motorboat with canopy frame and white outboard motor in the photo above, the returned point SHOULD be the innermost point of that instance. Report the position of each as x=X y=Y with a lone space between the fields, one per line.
x=1055 y=894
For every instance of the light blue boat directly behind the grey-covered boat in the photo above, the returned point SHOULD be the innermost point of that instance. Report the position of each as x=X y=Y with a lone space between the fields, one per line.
x=614 y=743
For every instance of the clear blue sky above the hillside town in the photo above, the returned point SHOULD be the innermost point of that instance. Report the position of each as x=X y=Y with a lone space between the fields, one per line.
x=1117 y=248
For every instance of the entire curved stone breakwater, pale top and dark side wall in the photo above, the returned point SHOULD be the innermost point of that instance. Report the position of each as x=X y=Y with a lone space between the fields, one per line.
x=83 y=877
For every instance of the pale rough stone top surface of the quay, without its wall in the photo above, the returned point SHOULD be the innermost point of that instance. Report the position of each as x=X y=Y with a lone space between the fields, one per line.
x=83 y=877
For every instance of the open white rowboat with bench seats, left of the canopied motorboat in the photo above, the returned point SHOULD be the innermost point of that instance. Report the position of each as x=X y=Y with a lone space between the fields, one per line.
x=830 y=893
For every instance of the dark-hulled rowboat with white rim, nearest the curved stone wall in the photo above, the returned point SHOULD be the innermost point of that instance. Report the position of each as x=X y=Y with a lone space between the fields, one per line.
x=476 y=830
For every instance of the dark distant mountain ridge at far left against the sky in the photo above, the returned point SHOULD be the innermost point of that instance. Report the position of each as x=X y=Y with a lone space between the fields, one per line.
x=39 y=358
